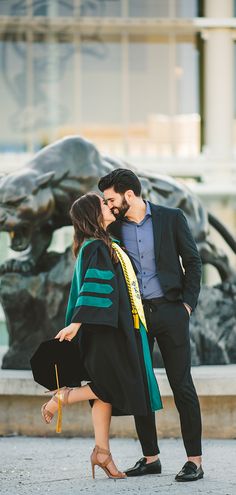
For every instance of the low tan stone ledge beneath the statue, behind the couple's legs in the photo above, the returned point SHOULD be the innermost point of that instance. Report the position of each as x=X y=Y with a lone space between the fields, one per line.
x=21 y=399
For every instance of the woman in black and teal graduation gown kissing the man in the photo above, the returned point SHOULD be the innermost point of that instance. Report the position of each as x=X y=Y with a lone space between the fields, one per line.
x=105 y=309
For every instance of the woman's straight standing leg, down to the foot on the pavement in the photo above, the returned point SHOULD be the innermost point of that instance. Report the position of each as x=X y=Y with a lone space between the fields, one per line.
x=101 y=416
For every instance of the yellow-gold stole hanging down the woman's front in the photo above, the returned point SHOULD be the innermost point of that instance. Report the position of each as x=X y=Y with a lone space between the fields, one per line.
x=132 y=285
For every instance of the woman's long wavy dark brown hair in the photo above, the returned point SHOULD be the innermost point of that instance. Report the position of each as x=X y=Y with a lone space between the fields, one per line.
x=87 y=219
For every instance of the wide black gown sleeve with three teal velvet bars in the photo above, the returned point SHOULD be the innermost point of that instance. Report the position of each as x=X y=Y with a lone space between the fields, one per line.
x=94 y=293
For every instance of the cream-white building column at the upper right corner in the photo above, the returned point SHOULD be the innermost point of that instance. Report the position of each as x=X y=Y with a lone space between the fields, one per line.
x=219 y=102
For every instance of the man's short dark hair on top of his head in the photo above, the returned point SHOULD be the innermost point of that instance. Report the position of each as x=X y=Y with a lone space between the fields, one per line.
x=122 y=180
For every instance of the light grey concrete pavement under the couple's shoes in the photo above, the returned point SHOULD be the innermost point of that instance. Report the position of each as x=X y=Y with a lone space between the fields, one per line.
x=61 y=466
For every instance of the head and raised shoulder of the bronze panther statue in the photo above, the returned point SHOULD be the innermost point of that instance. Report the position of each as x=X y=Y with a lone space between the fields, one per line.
x=39 y=196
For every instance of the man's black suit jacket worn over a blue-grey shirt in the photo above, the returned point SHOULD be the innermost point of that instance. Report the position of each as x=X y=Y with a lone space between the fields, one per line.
x=172 y=241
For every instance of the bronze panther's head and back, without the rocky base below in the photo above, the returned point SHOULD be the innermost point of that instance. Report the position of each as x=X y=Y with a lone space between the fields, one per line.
x=35 y=201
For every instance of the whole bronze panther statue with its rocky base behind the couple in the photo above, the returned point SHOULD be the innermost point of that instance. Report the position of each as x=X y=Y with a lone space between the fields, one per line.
x=35 y=202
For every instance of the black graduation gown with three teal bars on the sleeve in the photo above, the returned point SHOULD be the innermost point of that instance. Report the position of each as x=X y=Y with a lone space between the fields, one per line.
x=110 y=347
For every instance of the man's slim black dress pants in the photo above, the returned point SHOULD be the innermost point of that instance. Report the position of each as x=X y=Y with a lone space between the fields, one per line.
x=168 y=323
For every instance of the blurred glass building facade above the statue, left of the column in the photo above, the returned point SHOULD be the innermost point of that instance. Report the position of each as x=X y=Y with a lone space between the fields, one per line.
x=116 y=71
